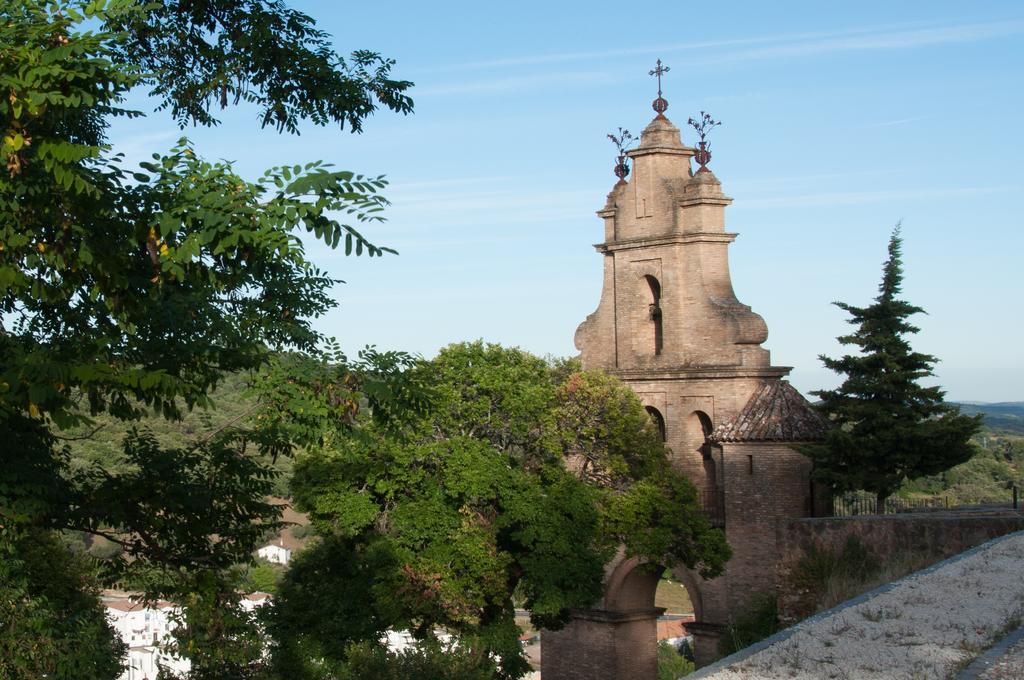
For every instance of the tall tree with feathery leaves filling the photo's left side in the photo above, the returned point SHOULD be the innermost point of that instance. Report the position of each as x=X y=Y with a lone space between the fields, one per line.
x=132 y=291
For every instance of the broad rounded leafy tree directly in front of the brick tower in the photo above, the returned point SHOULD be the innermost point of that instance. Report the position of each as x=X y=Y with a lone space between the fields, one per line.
x=515 y=488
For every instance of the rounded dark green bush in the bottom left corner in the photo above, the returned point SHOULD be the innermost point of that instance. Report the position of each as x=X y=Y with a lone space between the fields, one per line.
x=52 y=622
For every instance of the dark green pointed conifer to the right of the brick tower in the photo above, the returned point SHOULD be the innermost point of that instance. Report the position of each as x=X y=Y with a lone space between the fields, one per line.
x=888 y=427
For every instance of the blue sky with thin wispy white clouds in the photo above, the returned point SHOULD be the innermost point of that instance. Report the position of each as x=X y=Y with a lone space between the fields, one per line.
x=839 y=119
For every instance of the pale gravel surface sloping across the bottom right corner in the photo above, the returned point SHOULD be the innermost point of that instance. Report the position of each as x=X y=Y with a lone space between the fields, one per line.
x=928 y=625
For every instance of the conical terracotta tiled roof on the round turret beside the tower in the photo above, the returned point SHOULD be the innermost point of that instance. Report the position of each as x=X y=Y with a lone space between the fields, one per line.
x=777 y=412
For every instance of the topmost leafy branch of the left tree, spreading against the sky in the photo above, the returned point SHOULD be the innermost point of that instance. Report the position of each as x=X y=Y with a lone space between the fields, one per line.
x=200 y=56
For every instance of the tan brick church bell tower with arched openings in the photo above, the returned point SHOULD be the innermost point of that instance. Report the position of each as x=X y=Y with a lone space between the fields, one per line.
x=670 y=326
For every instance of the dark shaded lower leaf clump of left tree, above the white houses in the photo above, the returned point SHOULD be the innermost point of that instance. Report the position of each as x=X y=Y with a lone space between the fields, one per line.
x=203 y=507
